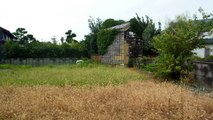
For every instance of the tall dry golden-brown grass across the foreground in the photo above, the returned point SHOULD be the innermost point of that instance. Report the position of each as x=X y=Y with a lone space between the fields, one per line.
x=136 y=100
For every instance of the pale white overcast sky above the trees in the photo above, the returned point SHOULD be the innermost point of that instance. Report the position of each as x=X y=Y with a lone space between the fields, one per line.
x=47 y=18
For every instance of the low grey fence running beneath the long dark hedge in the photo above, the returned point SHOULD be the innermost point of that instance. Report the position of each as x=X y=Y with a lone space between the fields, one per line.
x=38 y=61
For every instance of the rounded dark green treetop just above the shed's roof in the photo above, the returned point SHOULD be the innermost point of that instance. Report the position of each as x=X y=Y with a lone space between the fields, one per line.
x=111 y=22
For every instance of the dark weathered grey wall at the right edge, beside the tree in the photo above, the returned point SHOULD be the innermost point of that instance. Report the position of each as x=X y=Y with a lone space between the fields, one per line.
x=203 y=73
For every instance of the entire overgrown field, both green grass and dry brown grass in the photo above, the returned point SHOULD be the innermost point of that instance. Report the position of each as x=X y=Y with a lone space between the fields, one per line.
x=34 y=93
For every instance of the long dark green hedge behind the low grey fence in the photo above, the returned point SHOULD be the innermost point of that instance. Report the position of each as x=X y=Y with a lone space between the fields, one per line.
x=43 y=50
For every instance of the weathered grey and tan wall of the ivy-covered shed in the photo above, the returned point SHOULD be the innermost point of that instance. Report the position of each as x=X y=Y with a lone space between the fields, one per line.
x=117 y=52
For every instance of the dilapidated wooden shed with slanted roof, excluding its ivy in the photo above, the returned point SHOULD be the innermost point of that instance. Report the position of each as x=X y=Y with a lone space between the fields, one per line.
x=121 y=49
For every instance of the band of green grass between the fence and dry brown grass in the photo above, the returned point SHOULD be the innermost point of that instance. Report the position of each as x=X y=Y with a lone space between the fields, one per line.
x=84 y=74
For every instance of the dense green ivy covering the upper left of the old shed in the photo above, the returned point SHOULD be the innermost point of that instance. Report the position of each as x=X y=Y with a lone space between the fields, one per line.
x=105 y=38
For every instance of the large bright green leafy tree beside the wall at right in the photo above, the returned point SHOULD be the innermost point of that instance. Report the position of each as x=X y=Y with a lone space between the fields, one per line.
x=176 y=43
